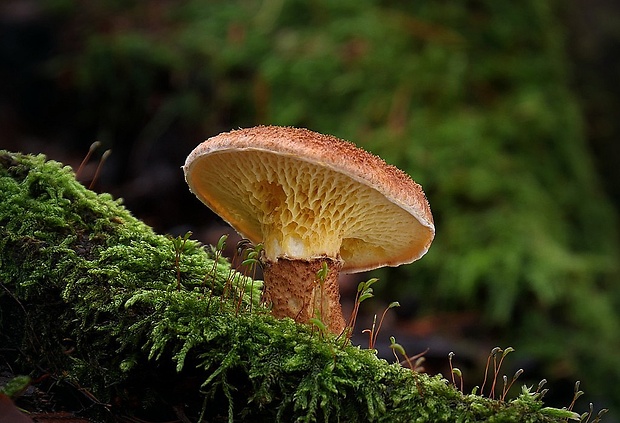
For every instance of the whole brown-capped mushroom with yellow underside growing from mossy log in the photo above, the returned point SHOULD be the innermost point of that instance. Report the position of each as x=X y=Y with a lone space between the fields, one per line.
x=319 y=205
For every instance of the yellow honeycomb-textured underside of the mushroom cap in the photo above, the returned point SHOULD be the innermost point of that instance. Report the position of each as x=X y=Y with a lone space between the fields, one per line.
x=300 y=209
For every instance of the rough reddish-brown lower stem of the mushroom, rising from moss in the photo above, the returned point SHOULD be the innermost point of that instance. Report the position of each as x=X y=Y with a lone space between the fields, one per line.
x=294 y=290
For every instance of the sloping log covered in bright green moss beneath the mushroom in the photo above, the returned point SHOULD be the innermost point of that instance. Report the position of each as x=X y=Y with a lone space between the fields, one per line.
x=148 y=325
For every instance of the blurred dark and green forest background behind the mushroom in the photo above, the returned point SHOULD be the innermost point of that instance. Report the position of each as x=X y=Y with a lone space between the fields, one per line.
x=505 y=112
